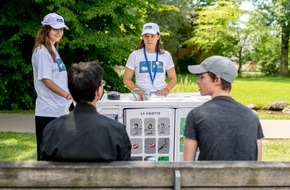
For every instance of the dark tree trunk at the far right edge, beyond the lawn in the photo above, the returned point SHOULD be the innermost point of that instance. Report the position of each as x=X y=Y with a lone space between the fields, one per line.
x=284 y=71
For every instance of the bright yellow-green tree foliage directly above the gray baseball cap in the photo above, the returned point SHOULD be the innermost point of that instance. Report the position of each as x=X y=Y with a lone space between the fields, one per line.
x=218 y=31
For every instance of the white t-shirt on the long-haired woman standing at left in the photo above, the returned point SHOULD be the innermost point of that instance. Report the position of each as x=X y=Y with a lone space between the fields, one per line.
x=48 y=104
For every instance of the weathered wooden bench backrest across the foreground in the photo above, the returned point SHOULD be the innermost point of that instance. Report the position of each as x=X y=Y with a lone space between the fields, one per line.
x=145 y=175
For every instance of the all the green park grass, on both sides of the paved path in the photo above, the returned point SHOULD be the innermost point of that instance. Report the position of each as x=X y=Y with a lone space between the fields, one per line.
x=260 y=91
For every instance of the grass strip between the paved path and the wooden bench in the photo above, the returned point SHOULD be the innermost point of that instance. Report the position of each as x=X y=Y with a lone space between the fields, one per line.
x=22 y=147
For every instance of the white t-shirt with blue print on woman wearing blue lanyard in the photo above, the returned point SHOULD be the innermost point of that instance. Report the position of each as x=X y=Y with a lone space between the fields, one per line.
x=137 y=62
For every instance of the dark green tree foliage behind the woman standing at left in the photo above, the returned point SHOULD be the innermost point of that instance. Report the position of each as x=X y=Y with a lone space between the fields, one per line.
x=105 y=30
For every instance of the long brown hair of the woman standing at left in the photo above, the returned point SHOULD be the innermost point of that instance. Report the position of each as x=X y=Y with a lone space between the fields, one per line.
x=43 y=39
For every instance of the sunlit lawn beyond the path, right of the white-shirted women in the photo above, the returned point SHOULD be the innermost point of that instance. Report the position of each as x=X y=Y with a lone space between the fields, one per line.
x=260 y=91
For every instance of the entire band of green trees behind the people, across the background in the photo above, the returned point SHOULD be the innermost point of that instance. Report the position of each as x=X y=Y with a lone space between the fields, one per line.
x=109 y=30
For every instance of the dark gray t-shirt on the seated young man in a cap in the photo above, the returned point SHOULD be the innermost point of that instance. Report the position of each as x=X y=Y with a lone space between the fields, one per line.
x=224 y=129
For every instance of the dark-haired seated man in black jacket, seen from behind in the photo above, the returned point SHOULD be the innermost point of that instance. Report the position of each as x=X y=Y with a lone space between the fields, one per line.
x=84 y=134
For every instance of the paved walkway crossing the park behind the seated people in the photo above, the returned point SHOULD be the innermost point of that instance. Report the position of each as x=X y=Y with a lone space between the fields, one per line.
x=24 y=123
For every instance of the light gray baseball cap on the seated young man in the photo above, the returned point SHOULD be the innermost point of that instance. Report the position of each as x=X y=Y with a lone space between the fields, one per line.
x=218 y=65
